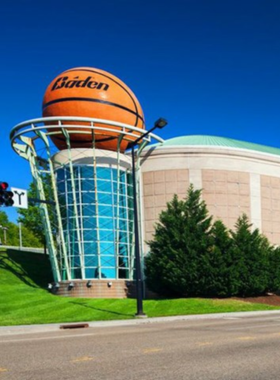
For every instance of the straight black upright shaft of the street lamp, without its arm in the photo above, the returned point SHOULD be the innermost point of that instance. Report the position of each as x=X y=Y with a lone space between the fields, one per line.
x=139 y=280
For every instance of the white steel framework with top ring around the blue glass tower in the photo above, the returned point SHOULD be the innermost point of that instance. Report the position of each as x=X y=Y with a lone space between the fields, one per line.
x=86 y=195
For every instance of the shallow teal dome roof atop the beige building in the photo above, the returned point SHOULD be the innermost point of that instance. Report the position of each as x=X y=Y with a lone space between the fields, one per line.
x=199 y=140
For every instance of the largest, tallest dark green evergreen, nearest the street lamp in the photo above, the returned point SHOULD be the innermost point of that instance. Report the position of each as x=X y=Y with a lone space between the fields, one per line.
x=176 y=263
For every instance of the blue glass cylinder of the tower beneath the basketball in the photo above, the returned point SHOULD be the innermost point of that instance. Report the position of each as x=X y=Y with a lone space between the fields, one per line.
x=97 y=220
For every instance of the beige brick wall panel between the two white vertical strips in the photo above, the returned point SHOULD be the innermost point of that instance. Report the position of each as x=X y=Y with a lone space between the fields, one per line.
x=227 y=194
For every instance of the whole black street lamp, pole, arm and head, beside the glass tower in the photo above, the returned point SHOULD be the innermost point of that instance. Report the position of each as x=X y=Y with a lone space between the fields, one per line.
x=160 y=123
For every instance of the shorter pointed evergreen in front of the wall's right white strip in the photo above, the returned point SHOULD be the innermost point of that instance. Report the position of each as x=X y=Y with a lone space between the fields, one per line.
x=250 y=254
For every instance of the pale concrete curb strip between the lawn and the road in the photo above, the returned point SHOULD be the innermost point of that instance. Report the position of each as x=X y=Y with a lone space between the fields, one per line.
x=28 y=329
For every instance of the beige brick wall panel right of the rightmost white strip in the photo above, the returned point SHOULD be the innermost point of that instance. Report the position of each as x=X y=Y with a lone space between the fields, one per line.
x=270 y=207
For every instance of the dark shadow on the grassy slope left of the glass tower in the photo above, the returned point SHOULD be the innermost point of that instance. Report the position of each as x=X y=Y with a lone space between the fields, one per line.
x=32 y=269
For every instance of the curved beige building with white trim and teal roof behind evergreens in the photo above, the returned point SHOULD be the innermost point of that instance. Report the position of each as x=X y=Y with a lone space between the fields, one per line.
x=236 y=177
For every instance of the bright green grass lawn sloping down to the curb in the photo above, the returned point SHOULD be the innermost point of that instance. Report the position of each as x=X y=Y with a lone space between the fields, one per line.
x=24 y=298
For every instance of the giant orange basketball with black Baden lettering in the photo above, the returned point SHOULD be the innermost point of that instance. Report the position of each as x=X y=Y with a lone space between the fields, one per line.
x=93 y=93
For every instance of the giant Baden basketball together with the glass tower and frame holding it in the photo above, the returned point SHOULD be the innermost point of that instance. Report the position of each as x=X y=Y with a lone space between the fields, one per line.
x=77 y=158
